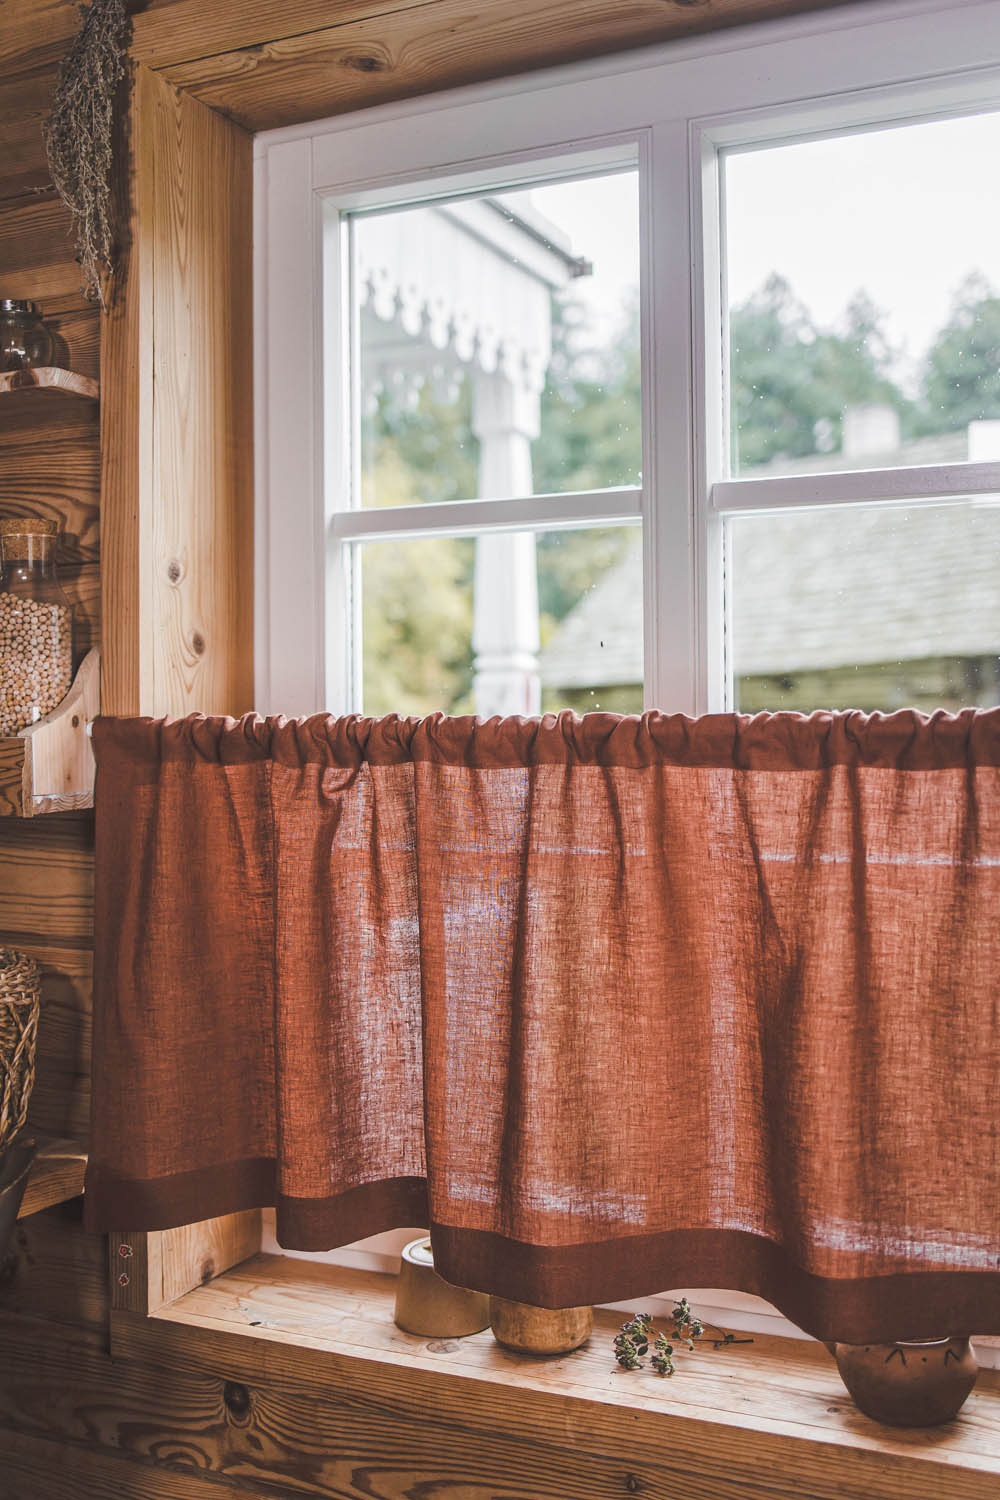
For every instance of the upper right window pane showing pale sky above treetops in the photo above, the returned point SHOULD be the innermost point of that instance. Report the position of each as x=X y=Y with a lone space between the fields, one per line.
x=864 y=299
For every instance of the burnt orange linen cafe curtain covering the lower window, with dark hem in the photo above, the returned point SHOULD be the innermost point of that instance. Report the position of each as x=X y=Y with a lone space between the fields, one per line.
x=611 y=1004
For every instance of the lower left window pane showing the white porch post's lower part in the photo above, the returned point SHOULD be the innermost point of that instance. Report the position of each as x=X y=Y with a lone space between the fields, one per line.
x=509 y=623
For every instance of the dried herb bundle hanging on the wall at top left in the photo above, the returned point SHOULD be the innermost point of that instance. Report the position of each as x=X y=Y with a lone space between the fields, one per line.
x=79 y=137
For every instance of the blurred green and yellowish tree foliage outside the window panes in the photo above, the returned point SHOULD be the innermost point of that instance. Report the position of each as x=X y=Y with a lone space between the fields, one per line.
x=791 y=383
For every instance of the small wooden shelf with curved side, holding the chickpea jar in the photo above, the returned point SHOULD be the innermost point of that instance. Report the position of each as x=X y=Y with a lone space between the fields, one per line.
x=50 y=767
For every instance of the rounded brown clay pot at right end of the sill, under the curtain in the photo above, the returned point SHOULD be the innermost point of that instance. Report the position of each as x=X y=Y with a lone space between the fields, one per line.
x=914 y=1384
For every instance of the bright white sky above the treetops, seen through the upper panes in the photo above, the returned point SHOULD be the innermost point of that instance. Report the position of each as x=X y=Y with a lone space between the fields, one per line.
x=905 y=214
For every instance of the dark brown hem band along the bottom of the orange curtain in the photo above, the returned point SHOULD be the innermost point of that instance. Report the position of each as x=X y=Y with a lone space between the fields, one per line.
x=855 y=1310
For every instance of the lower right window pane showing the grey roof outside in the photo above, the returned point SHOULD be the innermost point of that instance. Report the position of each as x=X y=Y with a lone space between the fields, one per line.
x=869 y=607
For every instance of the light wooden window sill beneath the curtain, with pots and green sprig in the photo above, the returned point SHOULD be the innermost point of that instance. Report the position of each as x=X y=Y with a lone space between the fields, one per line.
x=768 y=1418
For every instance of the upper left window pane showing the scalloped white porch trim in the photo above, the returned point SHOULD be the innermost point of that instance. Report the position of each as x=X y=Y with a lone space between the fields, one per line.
x=500 y=344
